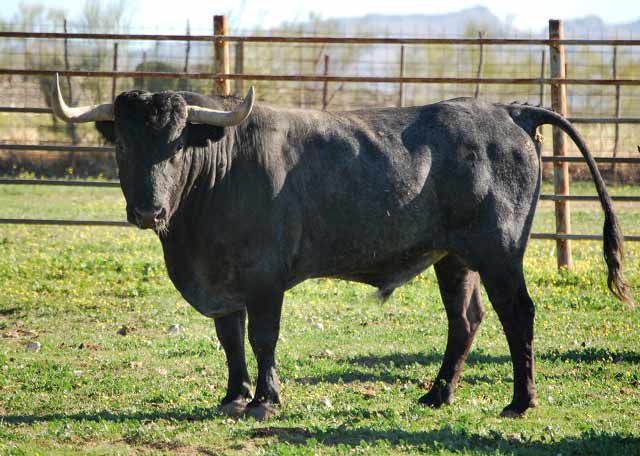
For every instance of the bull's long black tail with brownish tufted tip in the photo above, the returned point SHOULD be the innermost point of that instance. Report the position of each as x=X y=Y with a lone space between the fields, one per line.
x=531 y=117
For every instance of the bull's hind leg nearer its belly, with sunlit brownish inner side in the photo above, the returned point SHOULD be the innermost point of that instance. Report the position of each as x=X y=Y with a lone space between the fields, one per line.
x=459 y=288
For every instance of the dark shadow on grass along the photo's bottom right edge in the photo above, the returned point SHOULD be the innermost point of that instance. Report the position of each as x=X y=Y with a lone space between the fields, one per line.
x=448 y=439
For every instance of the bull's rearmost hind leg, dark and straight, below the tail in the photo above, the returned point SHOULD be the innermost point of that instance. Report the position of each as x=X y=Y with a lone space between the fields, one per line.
x=508 y=293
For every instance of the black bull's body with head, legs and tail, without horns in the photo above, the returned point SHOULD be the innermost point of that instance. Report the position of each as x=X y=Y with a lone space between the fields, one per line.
x=375 y=196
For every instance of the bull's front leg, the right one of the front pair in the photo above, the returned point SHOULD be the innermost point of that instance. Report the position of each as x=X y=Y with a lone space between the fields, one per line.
x=264 y=326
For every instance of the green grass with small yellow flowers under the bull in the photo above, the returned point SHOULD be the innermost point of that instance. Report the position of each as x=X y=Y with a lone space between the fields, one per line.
x=154 y=392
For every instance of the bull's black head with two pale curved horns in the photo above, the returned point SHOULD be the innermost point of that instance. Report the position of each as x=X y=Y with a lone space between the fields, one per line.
x=153 y=145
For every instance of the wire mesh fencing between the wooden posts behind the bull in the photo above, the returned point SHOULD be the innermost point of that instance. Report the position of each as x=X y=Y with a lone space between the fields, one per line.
x=303 y=68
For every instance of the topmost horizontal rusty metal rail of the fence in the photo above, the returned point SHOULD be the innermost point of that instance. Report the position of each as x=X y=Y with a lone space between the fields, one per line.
x=320 y=39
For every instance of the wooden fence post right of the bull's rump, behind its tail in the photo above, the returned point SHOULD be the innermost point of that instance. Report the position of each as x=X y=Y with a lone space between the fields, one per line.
x=560 y=170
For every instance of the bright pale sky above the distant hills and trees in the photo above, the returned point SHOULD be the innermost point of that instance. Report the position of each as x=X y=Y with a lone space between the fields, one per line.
x=253 y=14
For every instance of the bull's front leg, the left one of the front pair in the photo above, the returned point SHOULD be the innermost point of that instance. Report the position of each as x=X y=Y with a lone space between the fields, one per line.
x=230 y=331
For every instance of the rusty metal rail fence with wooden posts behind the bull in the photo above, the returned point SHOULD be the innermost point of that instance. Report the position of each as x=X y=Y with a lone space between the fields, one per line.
x=321 y=72
